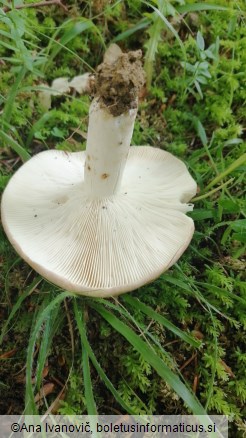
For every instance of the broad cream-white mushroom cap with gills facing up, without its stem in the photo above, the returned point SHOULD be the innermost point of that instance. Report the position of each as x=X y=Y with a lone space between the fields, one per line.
x=99 y=247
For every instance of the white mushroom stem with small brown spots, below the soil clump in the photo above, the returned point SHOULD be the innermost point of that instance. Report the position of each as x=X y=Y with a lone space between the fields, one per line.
x=108 y=142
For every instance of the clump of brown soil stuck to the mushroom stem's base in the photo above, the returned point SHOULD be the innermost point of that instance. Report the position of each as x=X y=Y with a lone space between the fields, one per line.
x=119 y=79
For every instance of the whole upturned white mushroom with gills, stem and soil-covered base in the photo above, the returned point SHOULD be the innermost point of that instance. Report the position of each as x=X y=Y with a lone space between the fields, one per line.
x=112 y=218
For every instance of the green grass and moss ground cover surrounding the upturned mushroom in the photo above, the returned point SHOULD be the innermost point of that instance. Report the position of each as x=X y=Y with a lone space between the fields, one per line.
x=177 y=344
